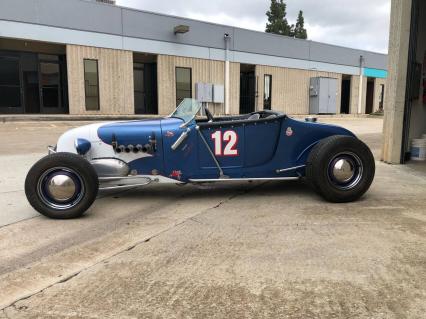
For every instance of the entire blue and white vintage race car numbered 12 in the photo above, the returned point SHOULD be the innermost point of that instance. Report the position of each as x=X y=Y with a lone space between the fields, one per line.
x=186 y=148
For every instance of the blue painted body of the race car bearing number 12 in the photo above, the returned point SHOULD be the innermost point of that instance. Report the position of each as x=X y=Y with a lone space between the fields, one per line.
x=271 y=147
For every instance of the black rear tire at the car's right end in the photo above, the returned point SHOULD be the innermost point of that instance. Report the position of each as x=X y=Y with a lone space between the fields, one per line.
x=324 y=157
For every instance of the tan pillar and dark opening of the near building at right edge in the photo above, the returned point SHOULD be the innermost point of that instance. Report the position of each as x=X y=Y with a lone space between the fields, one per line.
x=405 y=109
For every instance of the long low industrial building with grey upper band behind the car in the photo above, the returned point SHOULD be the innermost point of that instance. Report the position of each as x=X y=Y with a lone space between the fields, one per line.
x=86 y=57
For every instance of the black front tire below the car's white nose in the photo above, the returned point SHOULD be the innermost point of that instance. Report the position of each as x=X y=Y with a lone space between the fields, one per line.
x=82 y=174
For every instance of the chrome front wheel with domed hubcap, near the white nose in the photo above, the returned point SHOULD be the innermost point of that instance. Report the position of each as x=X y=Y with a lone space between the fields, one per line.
x=60 y=188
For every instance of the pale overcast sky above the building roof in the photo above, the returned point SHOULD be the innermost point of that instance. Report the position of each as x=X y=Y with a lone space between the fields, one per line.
x=362 y=24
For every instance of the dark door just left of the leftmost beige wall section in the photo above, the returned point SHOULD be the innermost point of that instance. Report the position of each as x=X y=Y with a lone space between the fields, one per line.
x=50 y=87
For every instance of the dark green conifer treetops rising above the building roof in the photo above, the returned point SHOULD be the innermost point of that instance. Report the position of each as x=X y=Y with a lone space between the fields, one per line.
x=278 y=23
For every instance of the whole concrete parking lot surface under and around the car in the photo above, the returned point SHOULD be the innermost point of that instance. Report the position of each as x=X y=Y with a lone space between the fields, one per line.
x=247 y=250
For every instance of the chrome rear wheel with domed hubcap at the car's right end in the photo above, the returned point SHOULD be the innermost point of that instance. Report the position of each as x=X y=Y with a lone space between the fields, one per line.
x=345 y=170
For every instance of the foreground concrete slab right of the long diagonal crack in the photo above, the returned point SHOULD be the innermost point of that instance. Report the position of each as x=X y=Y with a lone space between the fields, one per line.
x=278 y=251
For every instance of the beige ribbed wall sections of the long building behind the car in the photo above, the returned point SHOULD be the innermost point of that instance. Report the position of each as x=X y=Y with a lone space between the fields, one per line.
x=290 y=87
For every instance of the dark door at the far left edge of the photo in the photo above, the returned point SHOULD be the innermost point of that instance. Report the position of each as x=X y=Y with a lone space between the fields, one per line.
x=10 y=85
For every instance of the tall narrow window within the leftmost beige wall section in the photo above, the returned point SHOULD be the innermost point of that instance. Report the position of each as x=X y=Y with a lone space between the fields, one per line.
x=91 y=85
